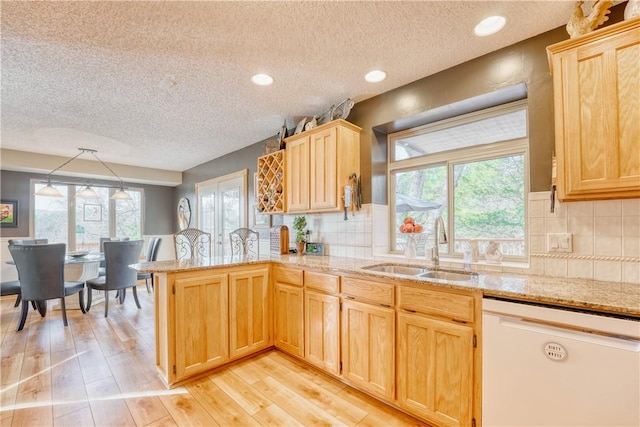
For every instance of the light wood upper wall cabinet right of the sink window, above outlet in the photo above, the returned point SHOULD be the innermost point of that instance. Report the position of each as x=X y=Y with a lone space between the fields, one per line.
x=596 y=83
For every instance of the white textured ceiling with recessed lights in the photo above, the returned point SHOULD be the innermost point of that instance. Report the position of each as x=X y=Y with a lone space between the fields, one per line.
x=167 y=84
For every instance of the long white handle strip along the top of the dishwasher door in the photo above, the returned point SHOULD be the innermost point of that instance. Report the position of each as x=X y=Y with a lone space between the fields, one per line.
x=593 y=337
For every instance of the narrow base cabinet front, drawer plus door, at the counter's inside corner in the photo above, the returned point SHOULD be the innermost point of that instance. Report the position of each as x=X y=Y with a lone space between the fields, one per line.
x=289 y=311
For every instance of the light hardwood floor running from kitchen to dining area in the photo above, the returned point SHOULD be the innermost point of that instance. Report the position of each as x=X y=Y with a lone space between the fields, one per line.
x=102 y=372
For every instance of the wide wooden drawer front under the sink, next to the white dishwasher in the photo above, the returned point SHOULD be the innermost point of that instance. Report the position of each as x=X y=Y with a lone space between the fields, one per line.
x=429 y=301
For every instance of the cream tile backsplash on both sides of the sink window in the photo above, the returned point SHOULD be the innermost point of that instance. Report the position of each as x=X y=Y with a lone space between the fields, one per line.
x=605 y=237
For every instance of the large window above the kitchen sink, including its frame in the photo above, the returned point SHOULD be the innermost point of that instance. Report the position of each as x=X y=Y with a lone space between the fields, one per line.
x=472 y=171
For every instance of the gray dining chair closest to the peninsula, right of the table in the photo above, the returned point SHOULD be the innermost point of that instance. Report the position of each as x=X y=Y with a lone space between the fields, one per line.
x=118 y=276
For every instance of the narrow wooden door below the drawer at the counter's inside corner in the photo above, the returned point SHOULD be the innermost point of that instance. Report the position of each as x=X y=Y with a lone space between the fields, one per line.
x=289 y=327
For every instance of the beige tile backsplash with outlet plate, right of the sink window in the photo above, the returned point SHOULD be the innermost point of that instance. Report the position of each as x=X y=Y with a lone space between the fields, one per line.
x=605 y=234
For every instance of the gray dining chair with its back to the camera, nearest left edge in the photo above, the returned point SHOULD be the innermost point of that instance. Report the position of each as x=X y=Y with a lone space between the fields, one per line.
x=41 y=272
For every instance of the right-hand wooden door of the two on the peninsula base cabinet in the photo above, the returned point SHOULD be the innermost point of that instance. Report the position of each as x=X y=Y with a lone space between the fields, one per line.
x=249 y=311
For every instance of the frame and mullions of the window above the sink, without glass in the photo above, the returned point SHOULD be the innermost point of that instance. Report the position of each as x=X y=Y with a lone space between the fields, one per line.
x=519 y=146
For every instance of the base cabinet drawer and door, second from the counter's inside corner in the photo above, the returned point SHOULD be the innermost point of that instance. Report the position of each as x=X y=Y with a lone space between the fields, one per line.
x=322 y=321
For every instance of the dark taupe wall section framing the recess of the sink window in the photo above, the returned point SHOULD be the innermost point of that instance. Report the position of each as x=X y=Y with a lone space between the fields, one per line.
x=522 y=62
